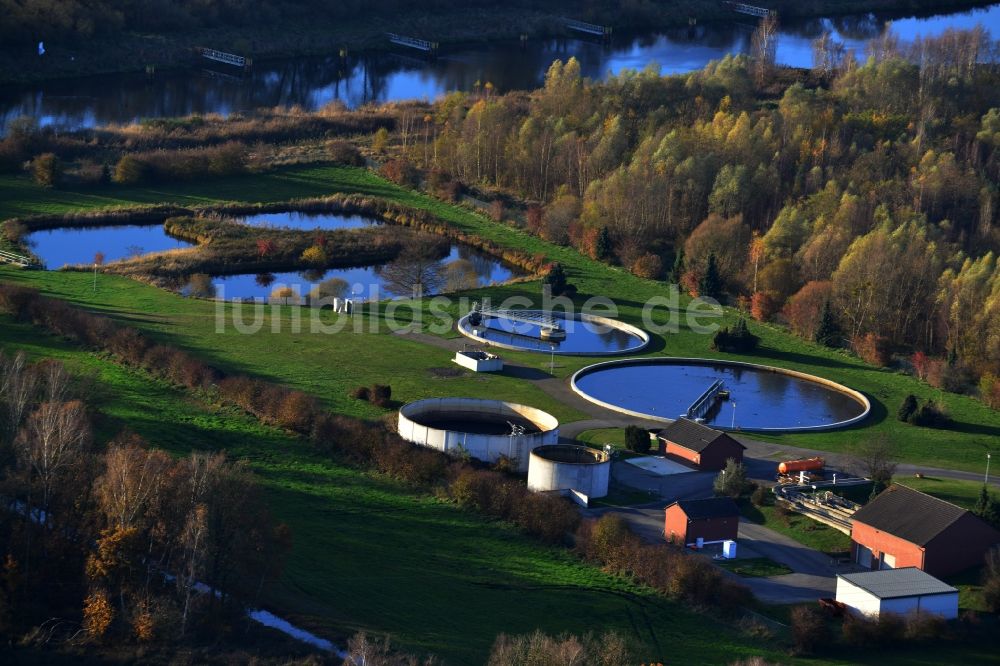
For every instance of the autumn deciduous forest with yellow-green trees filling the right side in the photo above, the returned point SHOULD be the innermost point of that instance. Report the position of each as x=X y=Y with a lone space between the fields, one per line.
x=869 y=183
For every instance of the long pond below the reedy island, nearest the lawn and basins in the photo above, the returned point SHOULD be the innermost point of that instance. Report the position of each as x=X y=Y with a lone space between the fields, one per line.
x=462 y=268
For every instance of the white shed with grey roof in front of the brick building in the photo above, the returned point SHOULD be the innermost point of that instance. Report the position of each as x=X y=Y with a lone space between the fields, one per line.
x=901 y=591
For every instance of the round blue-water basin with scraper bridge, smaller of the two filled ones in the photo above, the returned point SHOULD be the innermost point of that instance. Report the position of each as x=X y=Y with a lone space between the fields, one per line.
x=581 y=337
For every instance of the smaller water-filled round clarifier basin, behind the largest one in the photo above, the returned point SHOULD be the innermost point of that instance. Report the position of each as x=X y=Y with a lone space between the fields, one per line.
x=553 y=332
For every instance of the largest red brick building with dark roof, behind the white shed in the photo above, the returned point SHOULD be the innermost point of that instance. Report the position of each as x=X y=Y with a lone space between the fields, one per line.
x=903 y=527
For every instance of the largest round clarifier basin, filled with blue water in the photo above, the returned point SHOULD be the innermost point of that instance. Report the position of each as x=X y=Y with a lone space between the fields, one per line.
x=722 y=394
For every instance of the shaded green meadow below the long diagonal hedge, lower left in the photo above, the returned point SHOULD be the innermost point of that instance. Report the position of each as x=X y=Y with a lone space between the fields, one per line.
x=370 y=555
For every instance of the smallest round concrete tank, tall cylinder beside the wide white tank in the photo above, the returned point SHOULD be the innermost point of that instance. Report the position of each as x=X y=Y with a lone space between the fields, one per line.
x=565 y=467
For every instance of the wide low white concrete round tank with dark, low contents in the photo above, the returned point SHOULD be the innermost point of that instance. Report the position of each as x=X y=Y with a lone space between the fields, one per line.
x=484 y=429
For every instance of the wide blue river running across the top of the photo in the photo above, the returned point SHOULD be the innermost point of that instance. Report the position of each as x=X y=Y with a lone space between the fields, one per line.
x=311 y=82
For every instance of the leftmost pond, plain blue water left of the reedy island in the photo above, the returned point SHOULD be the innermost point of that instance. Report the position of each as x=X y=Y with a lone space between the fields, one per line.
x=78 y=245
